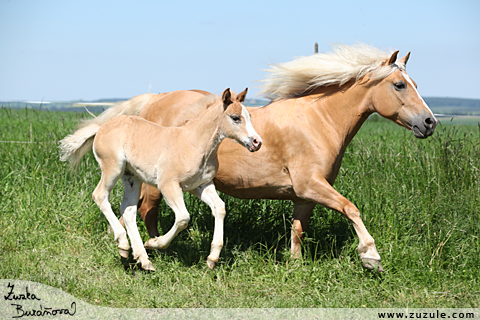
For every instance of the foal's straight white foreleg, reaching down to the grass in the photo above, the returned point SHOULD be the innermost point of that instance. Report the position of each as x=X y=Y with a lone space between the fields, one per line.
x=208 y=194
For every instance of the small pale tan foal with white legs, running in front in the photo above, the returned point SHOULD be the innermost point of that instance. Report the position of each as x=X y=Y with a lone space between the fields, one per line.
x=174 y=160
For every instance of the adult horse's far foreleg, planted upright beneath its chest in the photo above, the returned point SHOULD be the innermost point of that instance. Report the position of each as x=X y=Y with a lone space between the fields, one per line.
x=301 y=213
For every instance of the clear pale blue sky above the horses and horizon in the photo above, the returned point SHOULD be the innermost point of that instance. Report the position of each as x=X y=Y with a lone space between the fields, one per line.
x=94 y=49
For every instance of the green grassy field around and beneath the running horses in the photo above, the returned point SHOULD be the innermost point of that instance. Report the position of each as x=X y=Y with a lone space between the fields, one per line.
x=419 y=199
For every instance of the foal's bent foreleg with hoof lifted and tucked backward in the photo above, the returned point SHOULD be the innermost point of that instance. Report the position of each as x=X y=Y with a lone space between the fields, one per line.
x=173 y=195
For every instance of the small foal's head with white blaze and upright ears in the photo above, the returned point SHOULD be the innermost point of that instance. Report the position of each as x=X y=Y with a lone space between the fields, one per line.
x=237 y=123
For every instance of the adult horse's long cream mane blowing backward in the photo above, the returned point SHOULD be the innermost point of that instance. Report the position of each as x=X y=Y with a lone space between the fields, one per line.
x=345 y=63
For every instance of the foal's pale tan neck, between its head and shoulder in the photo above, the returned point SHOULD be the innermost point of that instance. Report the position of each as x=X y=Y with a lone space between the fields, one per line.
x=205 y=131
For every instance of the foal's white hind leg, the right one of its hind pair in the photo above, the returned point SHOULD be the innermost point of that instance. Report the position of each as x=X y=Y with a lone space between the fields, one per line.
x=128 y=208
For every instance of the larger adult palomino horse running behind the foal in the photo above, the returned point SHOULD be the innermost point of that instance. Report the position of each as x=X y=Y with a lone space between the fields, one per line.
x=319 y=104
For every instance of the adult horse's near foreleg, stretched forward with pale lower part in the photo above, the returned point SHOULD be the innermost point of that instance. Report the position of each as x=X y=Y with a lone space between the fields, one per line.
x=319 y=190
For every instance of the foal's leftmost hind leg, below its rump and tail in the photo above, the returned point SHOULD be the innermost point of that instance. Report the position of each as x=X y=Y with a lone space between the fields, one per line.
x=110 y=175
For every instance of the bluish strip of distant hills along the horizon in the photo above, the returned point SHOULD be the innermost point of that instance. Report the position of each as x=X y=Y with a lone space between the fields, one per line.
x=448 y=106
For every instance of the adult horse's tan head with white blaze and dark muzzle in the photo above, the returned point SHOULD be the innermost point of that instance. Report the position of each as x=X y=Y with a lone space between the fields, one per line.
x=396 y=98
